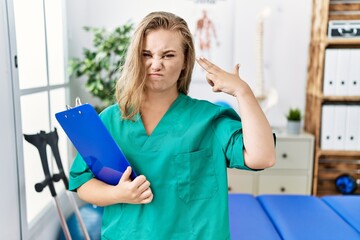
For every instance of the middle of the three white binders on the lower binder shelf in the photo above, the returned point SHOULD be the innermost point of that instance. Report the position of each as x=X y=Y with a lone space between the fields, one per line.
x=339 y=127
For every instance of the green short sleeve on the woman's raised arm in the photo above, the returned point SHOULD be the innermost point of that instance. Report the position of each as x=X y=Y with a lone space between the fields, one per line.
x=228 y=130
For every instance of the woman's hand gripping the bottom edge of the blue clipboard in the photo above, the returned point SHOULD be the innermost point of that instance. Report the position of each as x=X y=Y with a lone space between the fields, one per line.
x=135 y=191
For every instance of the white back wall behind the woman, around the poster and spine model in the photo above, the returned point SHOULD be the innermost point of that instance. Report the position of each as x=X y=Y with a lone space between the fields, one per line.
x=286 y=39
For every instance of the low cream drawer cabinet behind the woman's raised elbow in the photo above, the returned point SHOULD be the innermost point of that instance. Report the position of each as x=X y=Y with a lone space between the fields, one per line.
x=292 y=173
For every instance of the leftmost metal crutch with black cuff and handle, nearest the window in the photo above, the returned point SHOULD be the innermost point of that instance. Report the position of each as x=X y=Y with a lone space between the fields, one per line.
x=39 y=142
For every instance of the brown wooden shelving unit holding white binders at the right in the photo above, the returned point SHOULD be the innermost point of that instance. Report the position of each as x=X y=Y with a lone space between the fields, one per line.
x=329 y=163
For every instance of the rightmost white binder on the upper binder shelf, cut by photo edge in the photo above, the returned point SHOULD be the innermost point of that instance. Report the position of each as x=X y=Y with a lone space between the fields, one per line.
x=354 y=73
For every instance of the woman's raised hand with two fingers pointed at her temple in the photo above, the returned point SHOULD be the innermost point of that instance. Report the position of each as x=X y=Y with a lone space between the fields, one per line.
x=222 y=81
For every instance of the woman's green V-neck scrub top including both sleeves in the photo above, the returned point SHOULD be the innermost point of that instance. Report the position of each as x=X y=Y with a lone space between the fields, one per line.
x=185 y=160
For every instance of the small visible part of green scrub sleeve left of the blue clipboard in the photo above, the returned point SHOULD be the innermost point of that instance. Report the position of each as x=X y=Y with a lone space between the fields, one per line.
x=80 y=173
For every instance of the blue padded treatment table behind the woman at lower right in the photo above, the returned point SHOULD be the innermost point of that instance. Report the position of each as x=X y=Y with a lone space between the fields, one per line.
x=294 y=217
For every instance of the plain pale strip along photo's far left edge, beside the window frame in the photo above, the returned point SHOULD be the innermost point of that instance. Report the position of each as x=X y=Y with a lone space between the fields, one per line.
x=9 y=200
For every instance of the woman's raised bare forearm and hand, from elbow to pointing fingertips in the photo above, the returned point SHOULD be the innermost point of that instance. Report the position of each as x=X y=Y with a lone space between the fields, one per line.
x=257 y=132
